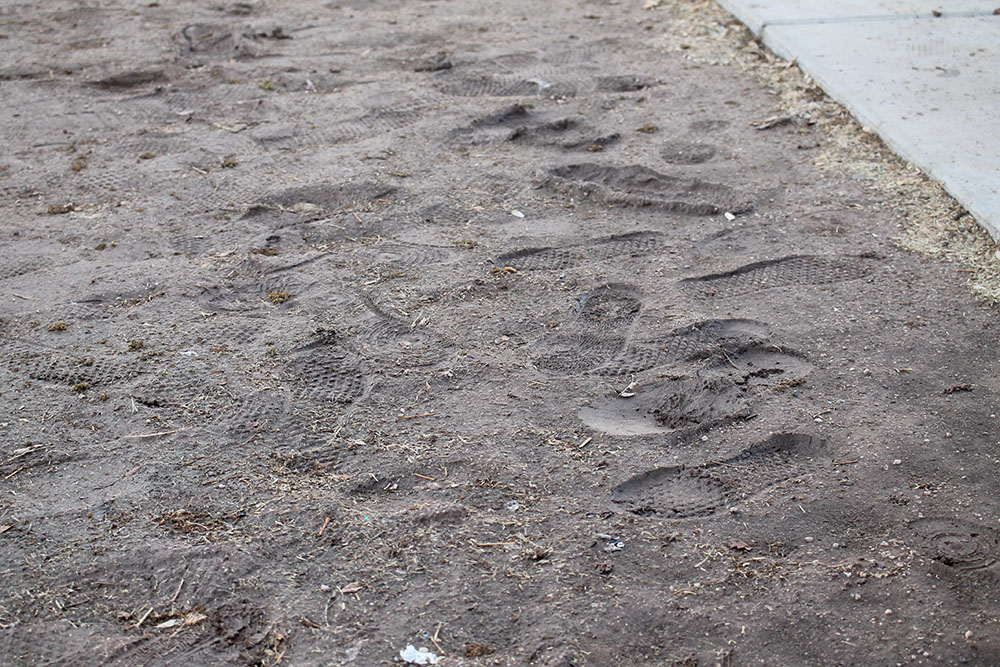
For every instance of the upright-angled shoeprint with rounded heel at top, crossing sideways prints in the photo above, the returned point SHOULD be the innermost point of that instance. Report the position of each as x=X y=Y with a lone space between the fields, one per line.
x=597 y=332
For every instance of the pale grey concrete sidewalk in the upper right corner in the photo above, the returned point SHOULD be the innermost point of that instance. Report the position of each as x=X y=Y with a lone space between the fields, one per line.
x=923 y=76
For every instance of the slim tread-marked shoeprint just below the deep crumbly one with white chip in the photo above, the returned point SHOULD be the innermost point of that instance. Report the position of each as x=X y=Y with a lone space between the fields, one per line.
x=635 y=244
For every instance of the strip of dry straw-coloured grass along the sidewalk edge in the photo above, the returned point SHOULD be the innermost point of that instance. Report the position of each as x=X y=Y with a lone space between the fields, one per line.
x=930 y=220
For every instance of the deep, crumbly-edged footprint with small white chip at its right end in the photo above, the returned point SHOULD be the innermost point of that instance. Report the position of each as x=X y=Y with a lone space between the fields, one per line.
x=639 y=186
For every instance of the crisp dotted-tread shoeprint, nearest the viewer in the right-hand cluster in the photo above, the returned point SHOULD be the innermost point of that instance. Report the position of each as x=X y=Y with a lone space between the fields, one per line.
x=681 y=492
